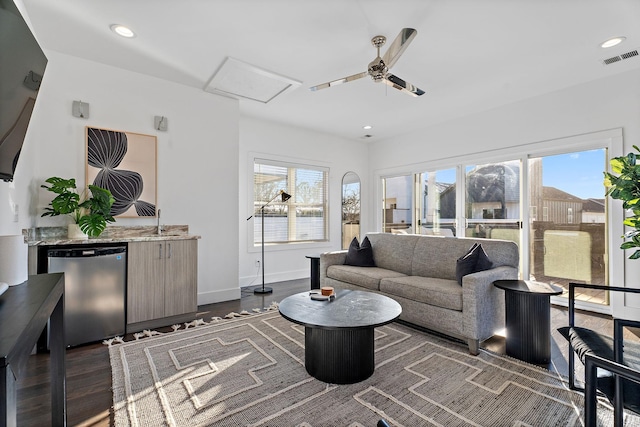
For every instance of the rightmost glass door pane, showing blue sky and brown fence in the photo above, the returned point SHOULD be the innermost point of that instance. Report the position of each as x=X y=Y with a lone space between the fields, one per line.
x=568 y=221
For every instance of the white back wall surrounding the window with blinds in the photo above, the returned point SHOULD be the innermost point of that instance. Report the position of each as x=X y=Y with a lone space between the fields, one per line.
x=278 y=142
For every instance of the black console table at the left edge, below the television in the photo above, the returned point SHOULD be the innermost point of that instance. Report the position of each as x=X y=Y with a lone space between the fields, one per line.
x=24 y=312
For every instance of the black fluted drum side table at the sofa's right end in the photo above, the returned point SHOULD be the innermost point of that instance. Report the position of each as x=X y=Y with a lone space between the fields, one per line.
x=528 y=319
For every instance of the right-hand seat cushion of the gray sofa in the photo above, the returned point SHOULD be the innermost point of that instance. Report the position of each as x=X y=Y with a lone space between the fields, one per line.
x=443 y=293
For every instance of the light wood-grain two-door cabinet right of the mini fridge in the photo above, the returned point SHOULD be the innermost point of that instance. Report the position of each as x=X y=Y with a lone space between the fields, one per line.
x=162 y=279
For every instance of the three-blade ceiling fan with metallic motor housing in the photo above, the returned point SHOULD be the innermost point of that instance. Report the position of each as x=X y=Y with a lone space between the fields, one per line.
x=379 y=68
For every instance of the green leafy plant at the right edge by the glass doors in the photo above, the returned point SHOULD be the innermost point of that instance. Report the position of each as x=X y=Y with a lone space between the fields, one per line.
x=625 y=186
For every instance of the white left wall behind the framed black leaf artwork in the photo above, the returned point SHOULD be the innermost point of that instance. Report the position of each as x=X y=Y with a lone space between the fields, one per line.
x=197 y=157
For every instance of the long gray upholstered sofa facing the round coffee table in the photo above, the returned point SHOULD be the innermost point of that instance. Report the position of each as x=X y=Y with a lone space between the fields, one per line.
x=420 y=273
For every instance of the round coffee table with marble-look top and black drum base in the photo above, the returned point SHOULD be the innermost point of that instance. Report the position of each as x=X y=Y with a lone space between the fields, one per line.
x=338 y=333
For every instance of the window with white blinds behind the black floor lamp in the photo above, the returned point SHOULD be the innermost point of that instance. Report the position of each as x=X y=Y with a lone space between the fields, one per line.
x=303 y=218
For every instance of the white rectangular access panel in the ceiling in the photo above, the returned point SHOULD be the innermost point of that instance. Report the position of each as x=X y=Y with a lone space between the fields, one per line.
x=239 y=79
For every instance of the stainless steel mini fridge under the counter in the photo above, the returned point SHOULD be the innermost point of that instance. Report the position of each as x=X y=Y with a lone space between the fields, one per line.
x=94 y=300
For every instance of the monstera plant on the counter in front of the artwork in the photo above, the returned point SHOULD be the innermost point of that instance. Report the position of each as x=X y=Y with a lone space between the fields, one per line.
x=90 y=210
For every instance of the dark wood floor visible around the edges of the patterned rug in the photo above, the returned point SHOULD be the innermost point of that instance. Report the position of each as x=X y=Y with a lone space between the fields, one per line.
x=89 y=395
